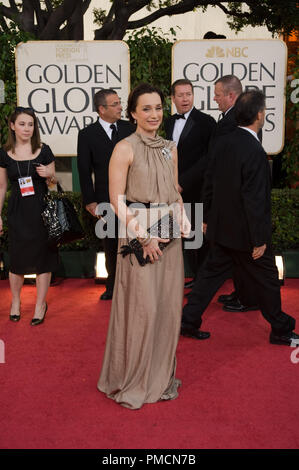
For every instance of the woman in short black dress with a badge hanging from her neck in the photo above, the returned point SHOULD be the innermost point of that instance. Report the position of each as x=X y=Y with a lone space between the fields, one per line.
x=28 y=165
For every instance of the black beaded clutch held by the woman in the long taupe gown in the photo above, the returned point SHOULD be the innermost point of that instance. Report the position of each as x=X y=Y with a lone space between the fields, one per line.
x=166 y=228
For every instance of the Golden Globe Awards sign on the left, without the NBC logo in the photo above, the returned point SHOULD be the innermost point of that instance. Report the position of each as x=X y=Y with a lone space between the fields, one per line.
x=58 y=79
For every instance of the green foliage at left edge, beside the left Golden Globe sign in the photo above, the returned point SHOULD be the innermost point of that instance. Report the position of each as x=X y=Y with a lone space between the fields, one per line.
x=8 y=42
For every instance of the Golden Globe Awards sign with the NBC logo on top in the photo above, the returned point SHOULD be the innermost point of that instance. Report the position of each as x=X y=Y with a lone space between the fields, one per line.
x=257 y=63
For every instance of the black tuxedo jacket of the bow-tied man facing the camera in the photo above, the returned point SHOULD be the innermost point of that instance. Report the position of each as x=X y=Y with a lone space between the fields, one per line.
x=192 y=150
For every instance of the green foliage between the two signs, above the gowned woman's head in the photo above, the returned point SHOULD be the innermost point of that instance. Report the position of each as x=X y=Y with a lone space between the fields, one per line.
x=150 y=59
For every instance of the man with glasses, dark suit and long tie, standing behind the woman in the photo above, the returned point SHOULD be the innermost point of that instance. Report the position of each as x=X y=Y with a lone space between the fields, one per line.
x=95 y=146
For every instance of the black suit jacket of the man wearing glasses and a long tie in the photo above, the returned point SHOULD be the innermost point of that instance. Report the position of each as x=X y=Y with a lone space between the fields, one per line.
x=94 y=151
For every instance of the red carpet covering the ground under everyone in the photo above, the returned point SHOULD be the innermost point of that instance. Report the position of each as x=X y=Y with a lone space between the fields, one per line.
x=238 y=390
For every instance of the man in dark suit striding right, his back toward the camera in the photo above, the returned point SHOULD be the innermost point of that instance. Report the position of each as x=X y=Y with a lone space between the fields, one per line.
x=239 y=215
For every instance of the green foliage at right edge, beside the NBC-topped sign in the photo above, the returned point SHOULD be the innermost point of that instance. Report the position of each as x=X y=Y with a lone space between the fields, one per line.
x=290 y=155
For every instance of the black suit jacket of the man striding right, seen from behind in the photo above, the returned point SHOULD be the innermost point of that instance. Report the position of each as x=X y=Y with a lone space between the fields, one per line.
x=240 y=215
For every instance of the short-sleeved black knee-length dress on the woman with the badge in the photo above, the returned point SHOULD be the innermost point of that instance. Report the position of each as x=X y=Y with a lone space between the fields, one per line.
x=29 y=252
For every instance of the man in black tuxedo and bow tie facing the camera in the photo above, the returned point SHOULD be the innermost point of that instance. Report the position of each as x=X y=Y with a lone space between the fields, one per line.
x=191 y=129
